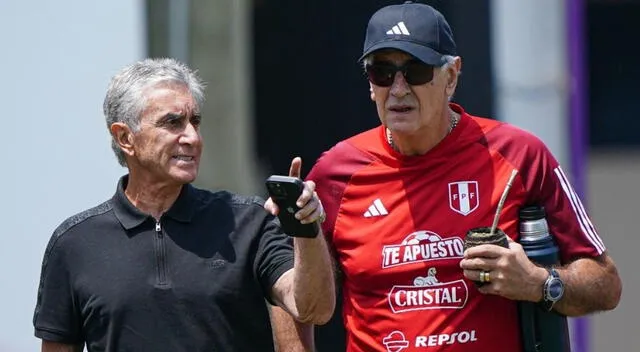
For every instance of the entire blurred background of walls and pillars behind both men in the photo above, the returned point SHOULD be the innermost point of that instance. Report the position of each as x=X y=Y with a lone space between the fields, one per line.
x=283 y=81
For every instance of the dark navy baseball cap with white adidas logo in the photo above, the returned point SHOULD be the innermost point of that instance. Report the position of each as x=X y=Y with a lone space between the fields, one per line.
x=417 y=29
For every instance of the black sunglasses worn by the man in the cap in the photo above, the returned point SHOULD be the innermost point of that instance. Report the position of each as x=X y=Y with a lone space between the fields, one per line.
x=383 y=73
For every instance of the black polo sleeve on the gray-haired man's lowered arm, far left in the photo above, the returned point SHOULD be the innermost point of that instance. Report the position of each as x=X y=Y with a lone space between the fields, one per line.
x=56 y=317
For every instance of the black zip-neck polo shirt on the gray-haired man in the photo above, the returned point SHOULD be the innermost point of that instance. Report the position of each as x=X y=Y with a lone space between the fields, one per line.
x=197 y=280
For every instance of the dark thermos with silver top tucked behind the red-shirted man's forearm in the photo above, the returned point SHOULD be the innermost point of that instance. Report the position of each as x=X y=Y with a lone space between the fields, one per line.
x=542 y=331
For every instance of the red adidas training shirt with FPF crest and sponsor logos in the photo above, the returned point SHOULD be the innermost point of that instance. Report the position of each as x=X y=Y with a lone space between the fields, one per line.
x=397 y=225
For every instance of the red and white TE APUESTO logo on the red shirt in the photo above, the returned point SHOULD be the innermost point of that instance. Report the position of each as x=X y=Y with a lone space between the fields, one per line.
x=422 y=246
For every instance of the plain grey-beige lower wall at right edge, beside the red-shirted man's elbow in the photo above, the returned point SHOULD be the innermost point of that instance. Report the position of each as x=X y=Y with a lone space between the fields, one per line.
x=613 y=198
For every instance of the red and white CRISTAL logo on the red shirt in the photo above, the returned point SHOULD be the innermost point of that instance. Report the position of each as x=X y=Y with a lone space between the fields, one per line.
x=428 y=293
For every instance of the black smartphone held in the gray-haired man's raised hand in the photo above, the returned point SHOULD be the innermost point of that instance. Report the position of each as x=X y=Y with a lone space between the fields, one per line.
x=285 y=191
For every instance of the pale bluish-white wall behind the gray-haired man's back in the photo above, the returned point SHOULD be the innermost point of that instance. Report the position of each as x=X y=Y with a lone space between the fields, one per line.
x=56 y=58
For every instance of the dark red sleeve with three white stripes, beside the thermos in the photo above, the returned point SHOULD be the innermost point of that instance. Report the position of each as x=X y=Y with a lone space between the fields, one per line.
x=567 y=217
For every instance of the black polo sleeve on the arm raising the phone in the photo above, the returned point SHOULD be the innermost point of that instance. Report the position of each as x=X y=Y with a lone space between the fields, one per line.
x=274 y=256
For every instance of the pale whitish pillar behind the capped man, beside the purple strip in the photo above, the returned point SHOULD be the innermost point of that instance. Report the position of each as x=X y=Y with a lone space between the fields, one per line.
x=530 y=70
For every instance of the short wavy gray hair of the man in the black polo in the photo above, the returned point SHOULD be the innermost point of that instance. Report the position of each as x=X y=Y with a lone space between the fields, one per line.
x=125 y=100
